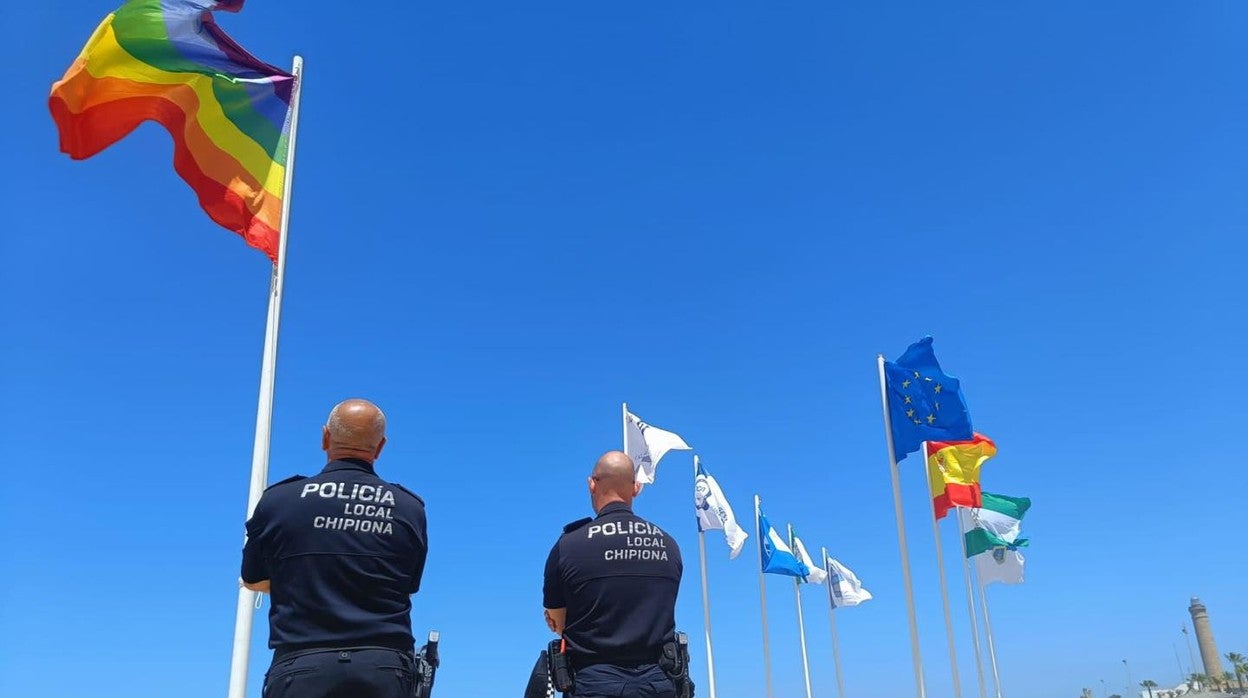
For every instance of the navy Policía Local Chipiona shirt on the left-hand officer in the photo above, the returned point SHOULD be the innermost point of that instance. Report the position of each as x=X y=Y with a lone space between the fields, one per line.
x=345 y=551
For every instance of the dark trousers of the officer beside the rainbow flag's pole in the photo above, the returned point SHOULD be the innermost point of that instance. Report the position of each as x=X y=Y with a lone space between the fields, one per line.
x=343 y=674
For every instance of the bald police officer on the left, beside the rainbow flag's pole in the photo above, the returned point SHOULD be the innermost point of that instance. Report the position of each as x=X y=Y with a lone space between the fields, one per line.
x=341 y=554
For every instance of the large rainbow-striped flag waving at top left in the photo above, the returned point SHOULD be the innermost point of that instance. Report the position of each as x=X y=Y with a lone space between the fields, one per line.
x=229 y=113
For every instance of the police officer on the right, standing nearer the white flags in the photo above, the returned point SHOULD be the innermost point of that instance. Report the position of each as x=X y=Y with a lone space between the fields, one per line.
x=611 y=591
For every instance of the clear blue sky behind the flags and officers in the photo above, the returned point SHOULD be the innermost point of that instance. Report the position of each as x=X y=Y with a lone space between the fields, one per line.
x=509 y=219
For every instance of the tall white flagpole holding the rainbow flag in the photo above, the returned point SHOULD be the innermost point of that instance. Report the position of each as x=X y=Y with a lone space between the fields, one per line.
x=245 y=614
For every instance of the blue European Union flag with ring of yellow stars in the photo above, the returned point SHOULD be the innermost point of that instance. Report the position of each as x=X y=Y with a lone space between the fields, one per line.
x=924 y=403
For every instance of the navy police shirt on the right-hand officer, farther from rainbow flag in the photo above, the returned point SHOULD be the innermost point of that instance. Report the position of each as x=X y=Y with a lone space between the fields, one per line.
x=618 y=578
